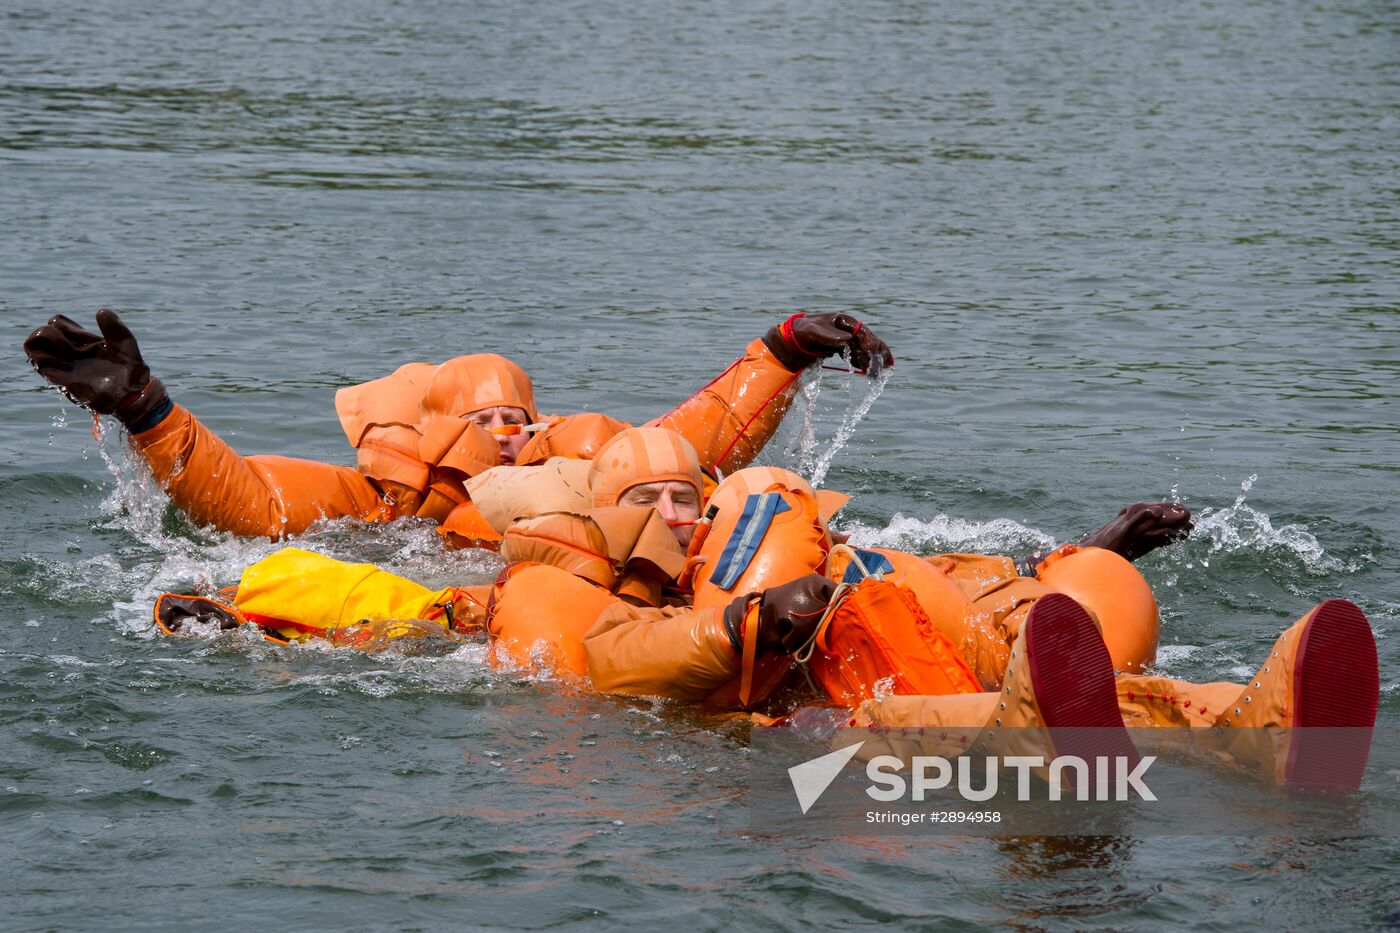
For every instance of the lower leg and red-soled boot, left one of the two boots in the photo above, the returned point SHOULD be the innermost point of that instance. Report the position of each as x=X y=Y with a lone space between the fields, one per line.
x=1058 y=700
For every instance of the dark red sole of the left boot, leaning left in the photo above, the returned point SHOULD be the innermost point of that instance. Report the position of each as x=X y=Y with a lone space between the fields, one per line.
x=1073 y=679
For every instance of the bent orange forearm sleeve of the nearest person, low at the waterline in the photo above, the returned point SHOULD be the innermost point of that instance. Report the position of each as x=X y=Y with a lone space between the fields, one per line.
x=681 y=654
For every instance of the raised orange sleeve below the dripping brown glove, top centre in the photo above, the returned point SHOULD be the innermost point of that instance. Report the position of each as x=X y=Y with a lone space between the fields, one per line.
x=731 y=420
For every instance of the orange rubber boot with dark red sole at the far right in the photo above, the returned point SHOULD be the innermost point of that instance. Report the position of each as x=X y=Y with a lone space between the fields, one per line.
x=1308 y=714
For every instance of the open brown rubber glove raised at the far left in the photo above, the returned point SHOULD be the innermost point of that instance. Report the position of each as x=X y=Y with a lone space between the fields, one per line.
x=104 y=373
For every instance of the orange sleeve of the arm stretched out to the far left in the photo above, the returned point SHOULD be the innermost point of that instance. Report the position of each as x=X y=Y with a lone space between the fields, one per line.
x=262 y=497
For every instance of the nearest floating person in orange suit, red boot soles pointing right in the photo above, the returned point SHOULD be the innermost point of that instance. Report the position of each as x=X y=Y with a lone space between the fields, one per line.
x=1322 y=672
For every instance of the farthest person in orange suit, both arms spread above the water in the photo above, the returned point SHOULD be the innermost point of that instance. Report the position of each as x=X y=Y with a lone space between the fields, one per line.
x=421 y=432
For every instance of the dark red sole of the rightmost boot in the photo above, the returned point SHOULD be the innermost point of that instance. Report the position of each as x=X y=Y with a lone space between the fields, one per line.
x=1336 y=694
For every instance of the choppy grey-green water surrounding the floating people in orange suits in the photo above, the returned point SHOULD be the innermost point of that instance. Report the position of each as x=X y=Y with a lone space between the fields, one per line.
x=1122 y=251
